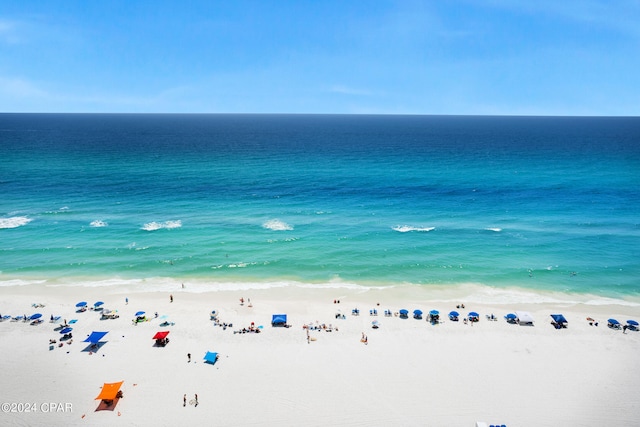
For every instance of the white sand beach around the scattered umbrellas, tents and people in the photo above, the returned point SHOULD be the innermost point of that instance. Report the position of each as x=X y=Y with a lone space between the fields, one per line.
x=409 y=372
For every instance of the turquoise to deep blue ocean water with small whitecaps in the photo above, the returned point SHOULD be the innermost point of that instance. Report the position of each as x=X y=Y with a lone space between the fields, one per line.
x=550 y=204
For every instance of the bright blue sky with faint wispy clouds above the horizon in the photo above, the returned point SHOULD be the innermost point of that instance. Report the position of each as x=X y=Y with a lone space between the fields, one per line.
x=542 y=57
